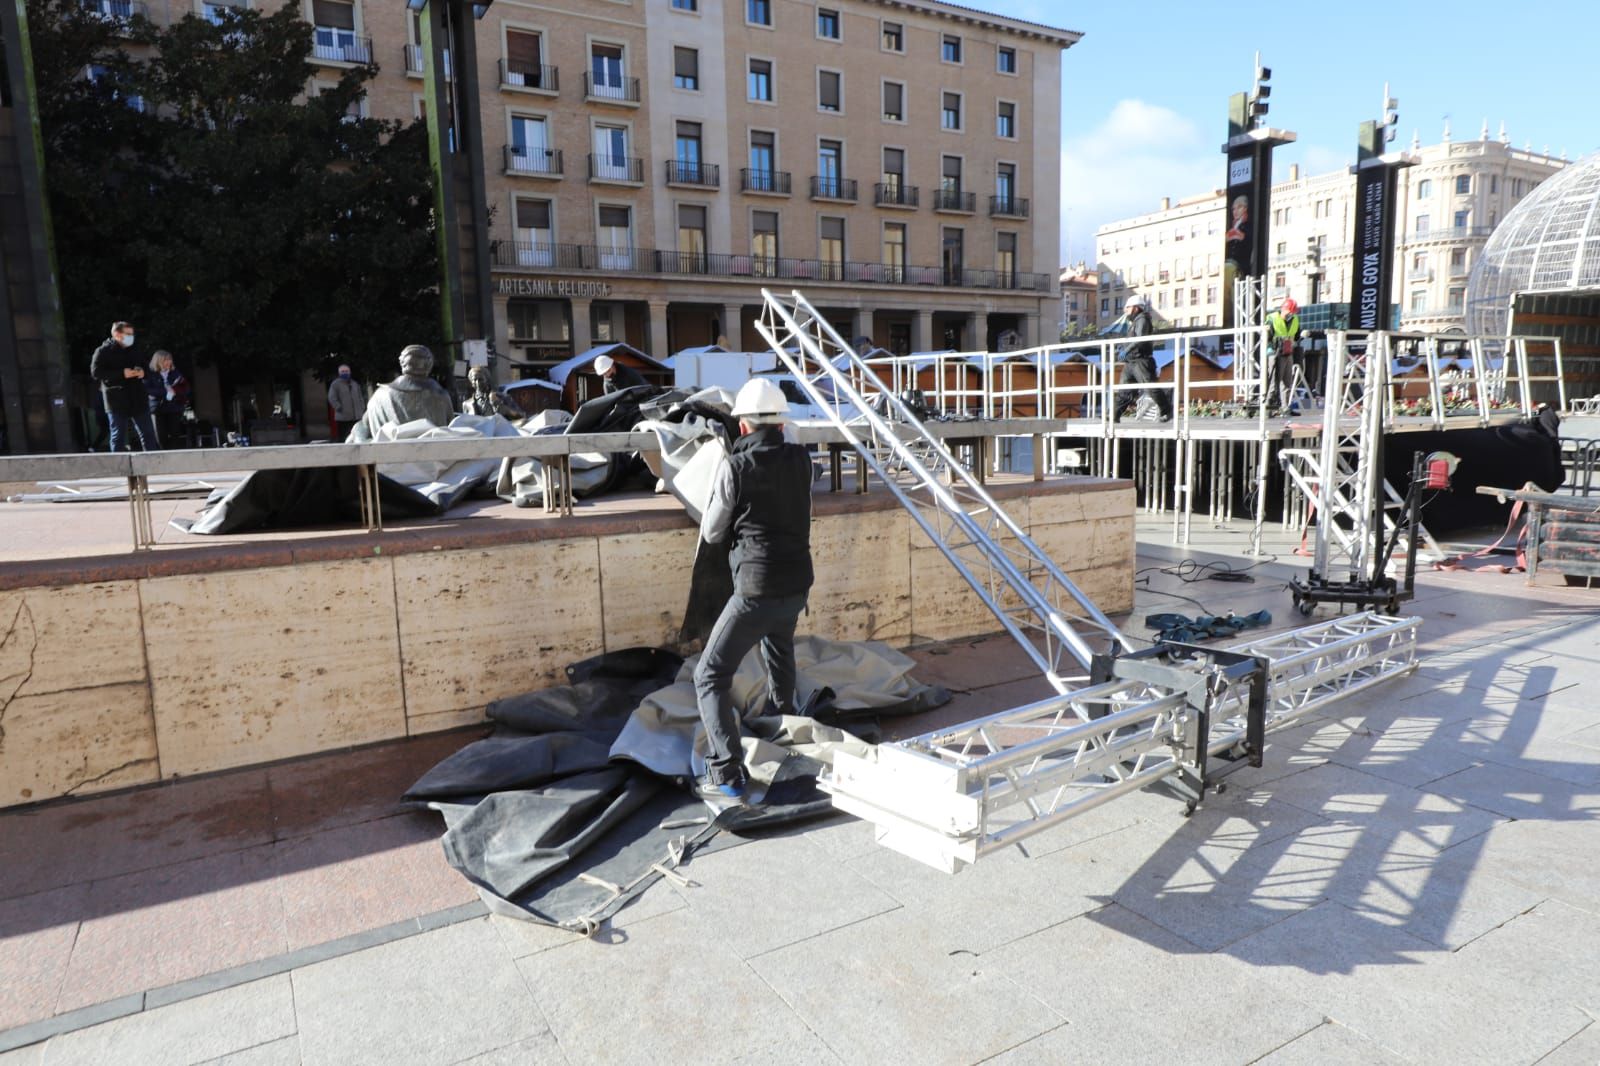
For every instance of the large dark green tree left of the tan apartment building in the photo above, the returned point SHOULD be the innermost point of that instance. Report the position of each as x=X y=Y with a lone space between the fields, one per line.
x=207 y=190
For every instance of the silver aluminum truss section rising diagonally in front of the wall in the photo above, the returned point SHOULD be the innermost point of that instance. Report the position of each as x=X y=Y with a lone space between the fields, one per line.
x=1034 y=601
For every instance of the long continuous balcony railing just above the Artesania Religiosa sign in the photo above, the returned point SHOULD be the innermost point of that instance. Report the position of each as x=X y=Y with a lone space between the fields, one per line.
x=614 y=260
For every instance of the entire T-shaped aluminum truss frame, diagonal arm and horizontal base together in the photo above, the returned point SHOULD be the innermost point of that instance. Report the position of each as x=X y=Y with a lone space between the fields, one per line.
x=1161 y=715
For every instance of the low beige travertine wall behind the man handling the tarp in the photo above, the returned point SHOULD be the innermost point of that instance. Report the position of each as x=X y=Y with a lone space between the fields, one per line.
x=129 y=683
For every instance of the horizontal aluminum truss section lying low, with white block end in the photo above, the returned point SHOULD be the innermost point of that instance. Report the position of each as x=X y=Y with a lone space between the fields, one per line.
x=953 y=796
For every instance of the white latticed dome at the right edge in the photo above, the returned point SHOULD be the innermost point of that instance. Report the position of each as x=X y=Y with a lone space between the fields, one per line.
x=1540 y=273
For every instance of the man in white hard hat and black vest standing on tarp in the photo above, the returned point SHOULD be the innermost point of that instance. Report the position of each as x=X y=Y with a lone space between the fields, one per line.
x=761 y=503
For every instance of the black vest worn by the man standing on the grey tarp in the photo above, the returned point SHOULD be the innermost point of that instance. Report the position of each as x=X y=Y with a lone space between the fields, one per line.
x=772 y=515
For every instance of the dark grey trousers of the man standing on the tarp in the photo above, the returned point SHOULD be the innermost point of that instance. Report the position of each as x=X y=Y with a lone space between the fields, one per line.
x=745 y=623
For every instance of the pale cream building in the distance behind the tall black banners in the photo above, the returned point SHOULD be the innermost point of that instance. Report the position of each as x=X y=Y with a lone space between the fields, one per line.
x=1449 y=204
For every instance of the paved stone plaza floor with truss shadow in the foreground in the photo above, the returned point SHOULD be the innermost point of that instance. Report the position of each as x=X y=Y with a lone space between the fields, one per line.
x=1412 y=878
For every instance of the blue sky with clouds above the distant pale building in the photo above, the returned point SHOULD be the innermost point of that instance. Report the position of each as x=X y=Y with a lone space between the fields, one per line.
x=1145 y=94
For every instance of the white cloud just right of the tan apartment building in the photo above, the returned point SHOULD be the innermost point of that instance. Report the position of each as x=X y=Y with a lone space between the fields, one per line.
x=1127 y=164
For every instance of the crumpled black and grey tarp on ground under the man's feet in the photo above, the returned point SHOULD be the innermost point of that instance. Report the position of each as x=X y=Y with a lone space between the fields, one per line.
x=559 y=816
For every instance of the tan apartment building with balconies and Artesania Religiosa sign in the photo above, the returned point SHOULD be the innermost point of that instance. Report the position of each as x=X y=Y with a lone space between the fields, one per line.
x=654 y=164
